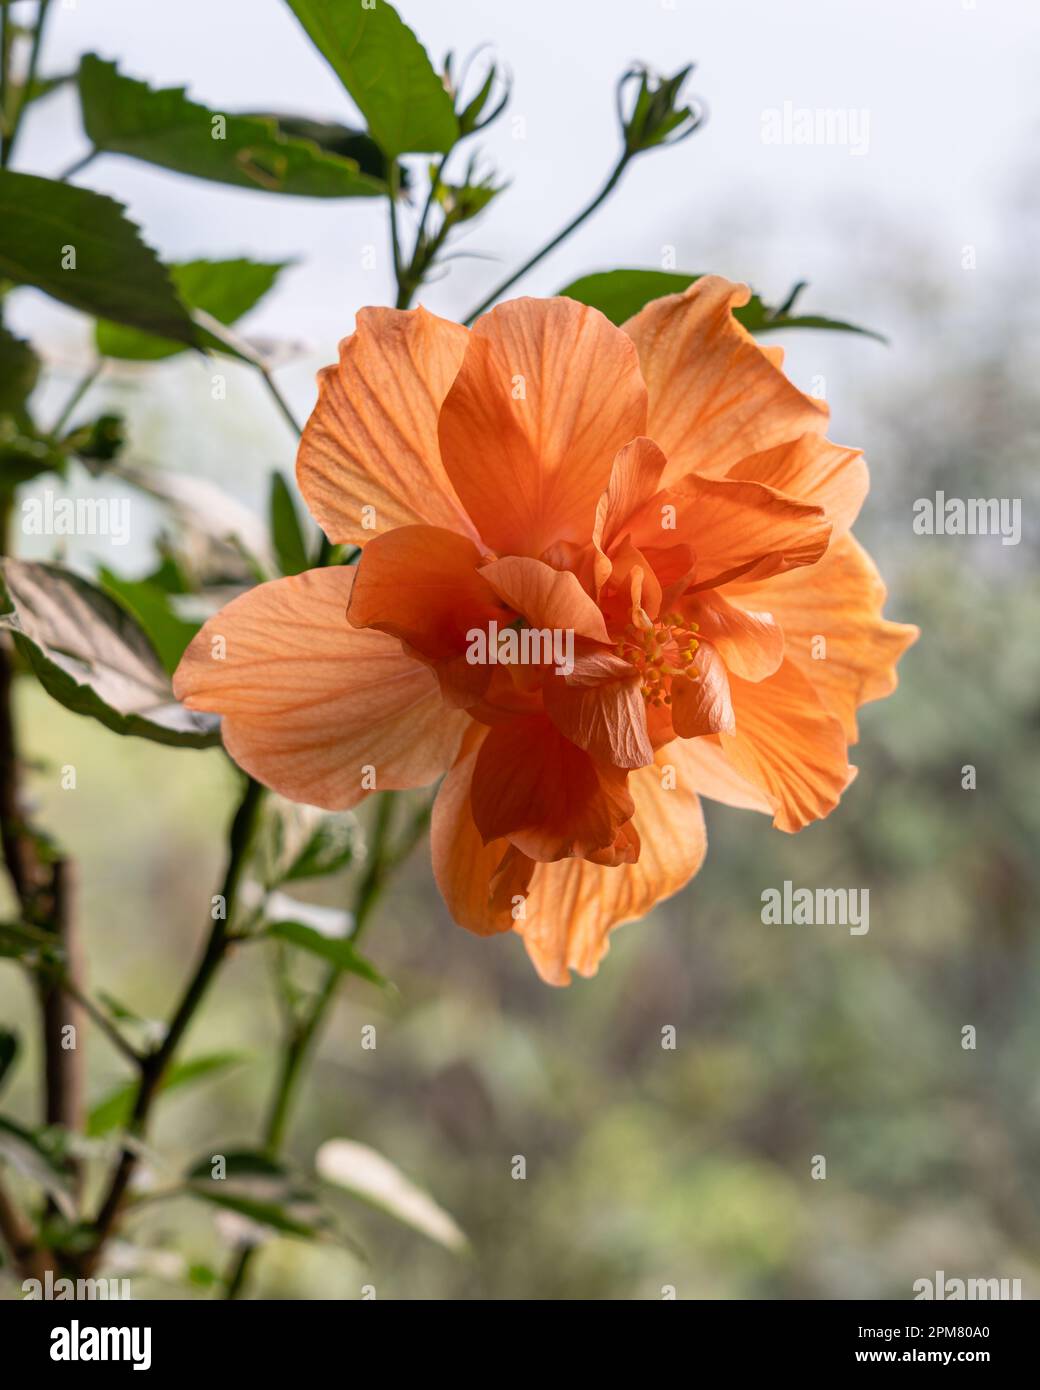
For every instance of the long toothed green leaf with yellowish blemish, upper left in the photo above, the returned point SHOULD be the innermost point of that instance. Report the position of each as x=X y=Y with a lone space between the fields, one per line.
x=161 y=126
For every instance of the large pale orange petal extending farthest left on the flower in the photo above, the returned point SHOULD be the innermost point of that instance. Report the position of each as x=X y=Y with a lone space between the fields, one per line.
x=309 y=703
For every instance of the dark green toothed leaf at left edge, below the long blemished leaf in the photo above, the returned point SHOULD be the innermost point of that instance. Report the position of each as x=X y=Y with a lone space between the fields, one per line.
x=116 y=275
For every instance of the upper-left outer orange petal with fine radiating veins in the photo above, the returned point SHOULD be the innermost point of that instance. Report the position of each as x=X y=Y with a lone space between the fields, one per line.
x=372 y=439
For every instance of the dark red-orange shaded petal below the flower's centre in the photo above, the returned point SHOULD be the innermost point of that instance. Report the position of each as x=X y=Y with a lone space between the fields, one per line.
x=550 y=799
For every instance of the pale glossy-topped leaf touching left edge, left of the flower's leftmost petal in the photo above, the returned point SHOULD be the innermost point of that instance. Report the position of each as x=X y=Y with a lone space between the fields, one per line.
x=92 y=658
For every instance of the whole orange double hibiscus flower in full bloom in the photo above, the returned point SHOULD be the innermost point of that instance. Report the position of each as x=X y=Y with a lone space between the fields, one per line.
x=656 y=502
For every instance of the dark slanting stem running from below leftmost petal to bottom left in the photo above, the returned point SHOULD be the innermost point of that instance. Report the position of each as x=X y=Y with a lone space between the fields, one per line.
x=154 y=1065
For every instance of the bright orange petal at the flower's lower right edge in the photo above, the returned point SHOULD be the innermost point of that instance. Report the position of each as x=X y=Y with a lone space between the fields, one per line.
x=789 y=746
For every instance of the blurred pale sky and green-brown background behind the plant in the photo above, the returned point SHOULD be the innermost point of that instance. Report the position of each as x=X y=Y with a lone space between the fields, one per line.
x=646 y=1167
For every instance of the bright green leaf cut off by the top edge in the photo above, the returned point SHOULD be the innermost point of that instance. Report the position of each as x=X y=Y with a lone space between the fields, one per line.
x=387 y=72
